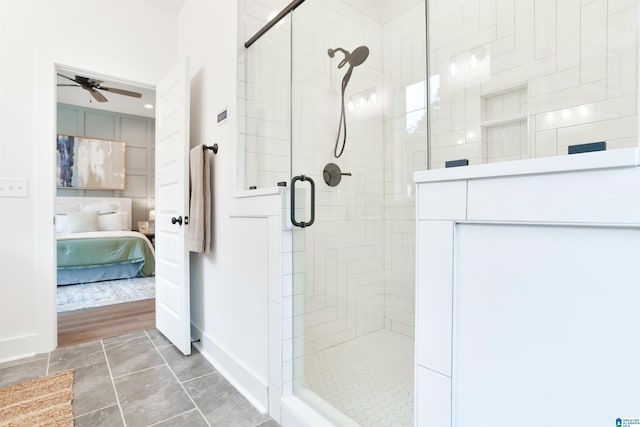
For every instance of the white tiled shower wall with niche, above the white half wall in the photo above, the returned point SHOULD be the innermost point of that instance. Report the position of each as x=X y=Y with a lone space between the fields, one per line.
x=577 y=60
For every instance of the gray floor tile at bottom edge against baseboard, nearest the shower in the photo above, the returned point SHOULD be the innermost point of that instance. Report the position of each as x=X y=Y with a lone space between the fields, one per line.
x=221 y=404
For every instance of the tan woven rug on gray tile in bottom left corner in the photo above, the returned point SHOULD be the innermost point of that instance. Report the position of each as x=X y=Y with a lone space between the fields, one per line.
x=42 y=402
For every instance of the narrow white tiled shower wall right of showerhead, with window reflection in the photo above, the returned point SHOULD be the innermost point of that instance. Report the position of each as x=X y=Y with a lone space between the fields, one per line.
x=405 y=151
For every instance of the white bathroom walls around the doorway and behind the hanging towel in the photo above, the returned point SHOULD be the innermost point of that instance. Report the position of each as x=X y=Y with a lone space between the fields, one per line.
x=229 y=295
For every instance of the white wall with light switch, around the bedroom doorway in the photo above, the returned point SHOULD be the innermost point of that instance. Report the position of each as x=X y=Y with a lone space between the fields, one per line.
x=138 y=45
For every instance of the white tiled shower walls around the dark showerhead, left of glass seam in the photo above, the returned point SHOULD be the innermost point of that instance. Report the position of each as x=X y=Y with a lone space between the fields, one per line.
x=356 y=274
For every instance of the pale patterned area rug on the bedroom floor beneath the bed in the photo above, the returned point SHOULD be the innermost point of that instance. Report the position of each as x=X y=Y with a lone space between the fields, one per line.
x=98 y=294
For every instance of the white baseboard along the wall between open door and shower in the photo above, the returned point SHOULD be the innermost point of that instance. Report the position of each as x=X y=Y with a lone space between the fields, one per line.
x=250 y=385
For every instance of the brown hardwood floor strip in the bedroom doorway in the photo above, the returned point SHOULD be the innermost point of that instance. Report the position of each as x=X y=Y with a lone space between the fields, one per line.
x=76 y=327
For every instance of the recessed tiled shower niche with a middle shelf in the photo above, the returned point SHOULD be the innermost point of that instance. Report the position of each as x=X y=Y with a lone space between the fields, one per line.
x=504 y=124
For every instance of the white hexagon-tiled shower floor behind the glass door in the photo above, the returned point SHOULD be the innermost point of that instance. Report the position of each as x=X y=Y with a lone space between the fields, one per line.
x=369 y=379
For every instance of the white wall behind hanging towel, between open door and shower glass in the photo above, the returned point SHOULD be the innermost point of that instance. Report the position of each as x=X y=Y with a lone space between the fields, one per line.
x=229 y=294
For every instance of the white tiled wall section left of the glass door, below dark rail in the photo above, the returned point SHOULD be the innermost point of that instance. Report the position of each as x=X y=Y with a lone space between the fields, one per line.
x=264 y=140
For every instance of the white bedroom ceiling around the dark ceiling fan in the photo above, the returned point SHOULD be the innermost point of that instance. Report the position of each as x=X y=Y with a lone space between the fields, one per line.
x=116 y=103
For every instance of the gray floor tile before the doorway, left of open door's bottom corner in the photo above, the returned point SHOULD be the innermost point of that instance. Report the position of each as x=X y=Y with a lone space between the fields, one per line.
x=132 y=355
